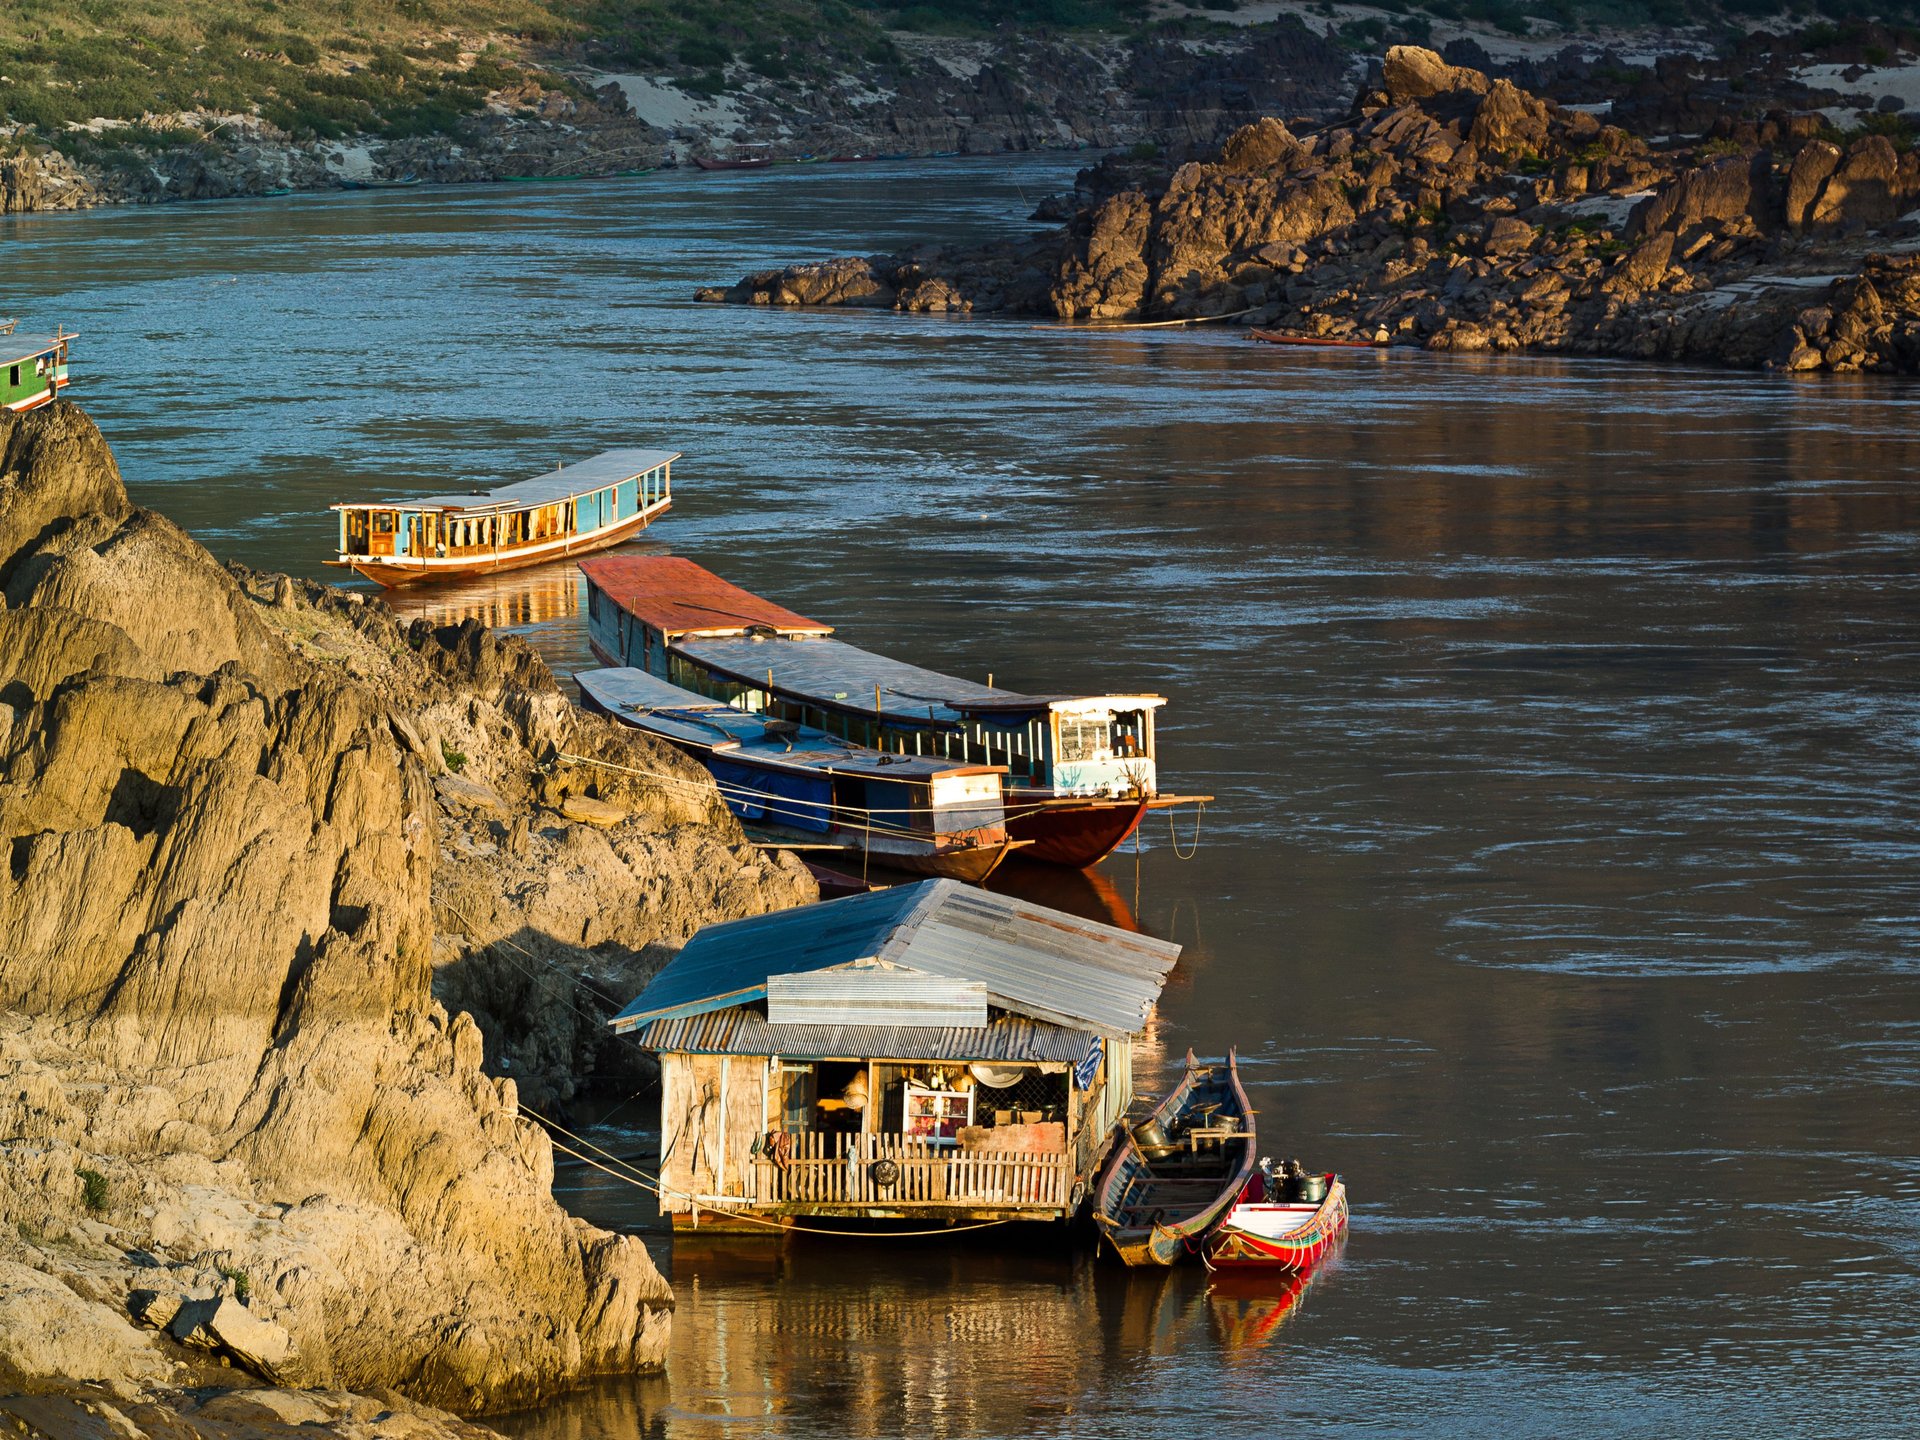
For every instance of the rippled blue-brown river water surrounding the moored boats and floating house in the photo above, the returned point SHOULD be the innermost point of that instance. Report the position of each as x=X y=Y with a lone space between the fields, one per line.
x=1562 y=888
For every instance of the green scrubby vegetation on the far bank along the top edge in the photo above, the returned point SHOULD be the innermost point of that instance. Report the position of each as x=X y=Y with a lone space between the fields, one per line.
x=155 y=74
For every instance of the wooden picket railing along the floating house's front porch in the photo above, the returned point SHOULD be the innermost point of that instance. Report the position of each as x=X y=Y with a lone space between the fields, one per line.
x=846 y=1170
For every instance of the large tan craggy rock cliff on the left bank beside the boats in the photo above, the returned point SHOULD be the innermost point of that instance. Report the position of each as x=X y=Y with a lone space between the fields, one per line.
x=235 y=1124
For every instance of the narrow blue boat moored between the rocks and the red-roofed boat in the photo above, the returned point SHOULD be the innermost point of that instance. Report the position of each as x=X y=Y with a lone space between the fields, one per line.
x=792 y=782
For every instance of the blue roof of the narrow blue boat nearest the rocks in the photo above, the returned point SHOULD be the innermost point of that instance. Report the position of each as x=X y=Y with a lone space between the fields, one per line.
x=679 y=715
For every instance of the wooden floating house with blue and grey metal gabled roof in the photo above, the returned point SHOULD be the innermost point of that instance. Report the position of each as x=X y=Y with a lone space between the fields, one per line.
x=928 y=1051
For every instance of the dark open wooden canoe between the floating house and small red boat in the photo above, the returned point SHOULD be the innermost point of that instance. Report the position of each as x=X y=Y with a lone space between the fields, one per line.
x=1172 y=1180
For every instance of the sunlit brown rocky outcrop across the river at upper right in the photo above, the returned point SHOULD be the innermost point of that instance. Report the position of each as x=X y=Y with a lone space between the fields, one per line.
x=1462 y=212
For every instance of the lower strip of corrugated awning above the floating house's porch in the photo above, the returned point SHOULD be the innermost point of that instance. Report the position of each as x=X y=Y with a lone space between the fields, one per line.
x=740 y=1030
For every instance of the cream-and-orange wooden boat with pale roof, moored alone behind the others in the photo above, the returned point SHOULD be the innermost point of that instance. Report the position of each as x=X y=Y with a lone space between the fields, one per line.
x=569 y=512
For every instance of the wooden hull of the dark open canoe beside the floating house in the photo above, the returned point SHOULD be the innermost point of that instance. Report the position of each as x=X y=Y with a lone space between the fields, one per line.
x=1149 y=1232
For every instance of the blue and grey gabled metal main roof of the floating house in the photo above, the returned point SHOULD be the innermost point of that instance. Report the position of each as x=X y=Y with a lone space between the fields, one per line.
x=1038 y=963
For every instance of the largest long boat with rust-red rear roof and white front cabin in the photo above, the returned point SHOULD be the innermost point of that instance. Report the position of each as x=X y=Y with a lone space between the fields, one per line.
x=1080 y=769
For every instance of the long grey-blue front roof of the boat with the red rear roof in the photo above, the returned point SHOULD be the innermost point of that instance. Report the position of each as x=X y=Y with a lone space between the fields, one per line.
x=844 y=677
